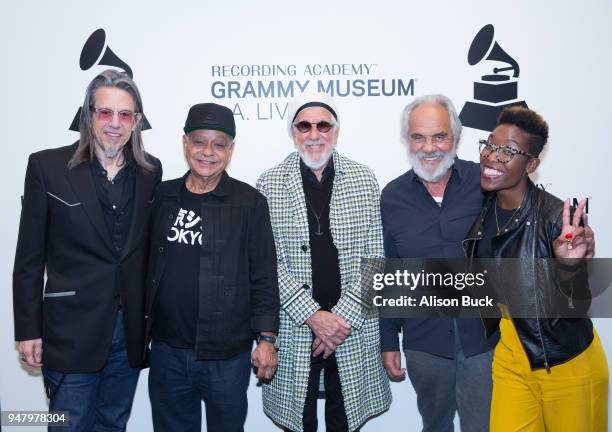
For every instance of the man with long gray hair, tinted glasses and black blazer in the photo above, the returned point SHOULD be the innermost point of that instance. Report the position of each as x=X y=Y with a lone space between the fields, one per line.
x=84 y=221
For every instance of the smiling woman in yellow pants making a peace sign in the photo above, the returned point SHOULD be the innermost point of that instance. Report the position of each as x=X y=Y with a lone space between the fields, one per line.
x=549 y=374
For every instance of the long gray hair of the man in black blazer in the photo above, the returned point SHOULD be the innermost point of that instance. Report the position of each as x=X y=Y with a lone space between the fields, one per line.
x=86 y=147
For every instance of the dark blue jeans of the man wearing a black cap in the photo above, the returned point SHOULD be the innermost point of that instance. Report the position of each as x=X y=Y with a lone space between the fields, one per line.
x=178 y=383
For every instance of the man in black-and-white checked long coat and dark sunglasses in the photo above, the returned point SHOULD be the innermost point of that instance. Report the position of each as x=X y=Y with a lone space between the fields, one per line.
x=325 y=216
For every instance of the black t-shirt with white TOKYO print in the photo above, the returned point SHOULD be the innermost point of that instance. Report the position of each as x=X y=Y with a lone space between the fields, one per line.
x=177 y=299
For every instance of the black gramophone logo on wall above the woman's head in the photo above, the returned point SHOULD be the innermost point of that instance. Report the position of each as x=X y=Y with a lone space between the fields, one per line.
x=495 y=91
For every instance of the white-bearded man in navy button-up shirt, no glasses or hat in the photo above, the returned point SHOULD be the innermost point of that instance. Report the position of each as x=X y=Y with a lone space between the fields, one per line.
x=426 y=213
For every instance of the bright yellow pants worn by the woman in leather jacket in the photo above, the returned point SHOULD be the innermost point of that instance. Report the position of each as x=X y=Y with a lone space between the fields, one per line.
x=572 y=398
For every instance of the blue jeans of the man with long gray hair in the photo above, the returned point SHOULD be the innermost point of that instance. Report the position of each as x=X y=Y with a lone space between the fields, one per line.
x=97 y=401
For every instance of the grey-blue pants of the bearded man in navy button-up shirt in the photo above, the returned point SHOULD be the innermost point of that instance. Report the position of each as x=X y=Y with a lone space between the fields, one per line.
x=444 y=386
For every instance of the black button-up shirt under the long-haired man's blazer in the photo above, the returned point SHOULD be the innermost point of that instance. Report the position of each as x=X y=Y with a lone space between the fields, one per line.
x=116 y=198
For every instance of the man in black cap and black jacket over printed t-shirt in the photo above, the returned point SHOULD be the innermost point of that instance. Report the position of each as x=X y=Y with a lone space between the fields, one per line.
x=212 y=285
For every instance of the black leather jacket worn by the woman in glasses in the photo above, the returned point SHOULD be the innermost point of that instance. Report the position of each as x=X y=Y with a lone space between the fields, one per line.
x=547 y=341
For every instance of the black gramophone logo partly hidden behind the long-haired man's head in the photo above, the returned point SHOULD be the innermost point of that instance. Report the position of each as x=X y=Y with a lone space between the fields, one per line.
x=96 y=52
